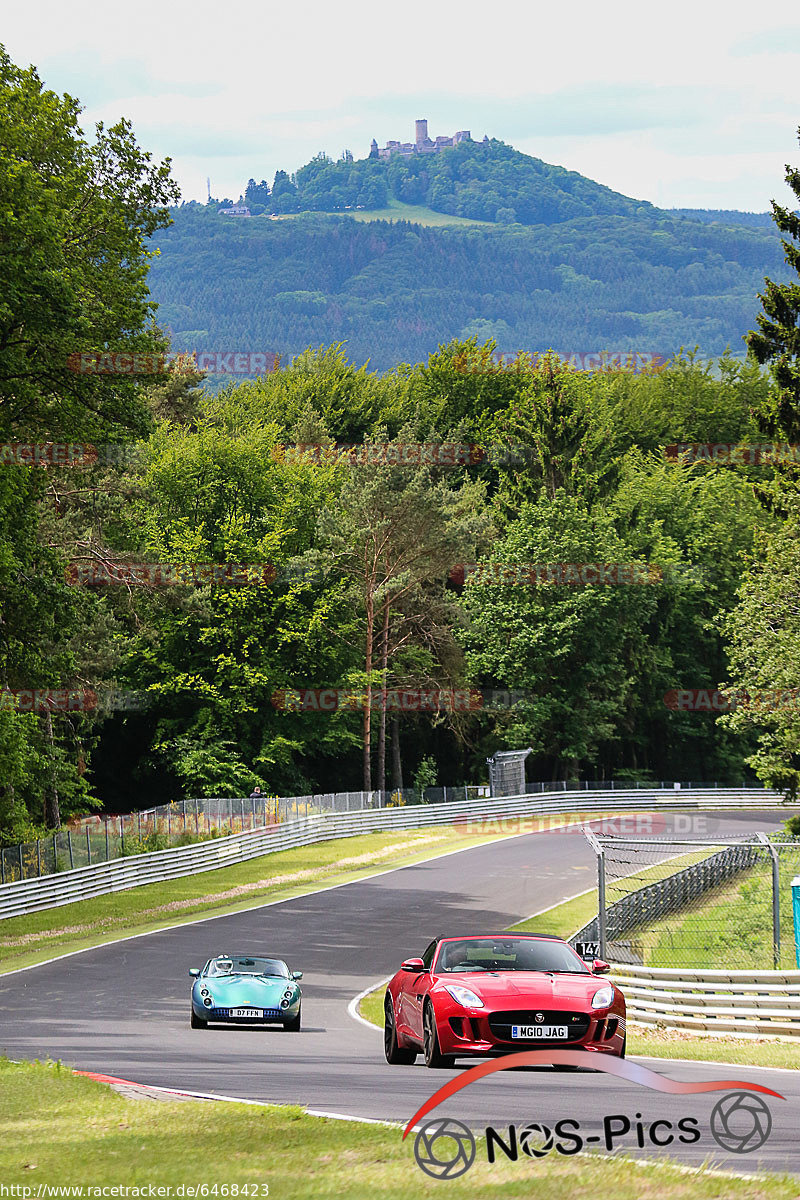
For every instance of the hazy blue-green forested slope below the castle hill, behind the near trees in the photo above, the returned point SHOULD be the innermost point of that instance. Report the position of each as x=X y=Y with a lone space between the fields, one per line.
x=394 y=292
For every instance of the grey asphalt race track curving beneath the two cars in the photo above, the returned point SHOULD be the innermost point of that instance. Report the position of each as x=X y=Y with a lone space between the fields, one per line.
x=123 y=1010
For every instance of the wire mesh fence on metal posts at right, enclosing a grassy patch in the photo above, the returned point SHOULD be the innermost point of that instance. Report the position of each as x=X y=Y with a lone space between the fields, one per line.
x=723 y=904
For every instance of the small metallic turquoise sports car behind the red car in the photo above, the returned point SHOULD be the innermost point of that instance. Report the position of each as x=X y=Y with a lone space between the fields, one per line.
x=246 y=989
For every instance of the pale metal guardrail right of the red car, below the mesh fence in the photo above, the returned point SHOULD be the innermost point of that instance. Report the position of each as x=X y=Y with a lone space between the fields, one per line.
x=756 y=1003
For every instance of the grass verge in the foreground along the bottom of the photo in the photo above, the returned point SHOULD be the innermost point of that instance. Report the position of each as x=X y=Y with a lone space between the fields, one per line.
x=65 y=1131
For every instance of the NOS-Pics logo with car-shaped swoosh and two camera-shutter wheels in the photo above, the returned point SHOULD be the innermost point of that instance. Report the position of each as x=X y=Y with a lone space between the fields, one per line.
x=446 y=1149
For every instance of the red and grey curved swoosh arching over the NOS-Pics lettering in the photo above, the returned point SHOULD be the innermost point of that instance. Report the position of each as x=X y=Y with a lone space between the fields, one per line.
x=622 y=1067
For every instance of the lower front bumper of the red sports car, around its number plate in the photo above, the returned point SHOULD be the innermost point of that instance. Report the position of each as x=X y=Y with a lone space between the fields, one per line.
x=486 y=1034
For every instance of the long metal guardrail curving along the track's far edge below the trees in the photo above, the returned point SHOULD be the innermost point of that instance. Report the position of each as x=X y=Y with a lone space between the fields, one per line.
x=68 y=887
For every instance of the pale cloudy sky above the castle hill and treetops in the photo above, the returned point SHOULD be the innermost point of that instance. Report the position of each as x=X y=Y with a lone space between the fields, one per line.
x=694 y=105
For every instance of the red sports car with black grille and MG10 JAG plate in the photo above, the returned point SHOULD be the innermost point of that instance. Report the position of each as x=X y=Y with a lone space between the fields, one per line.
x=490 y=994
